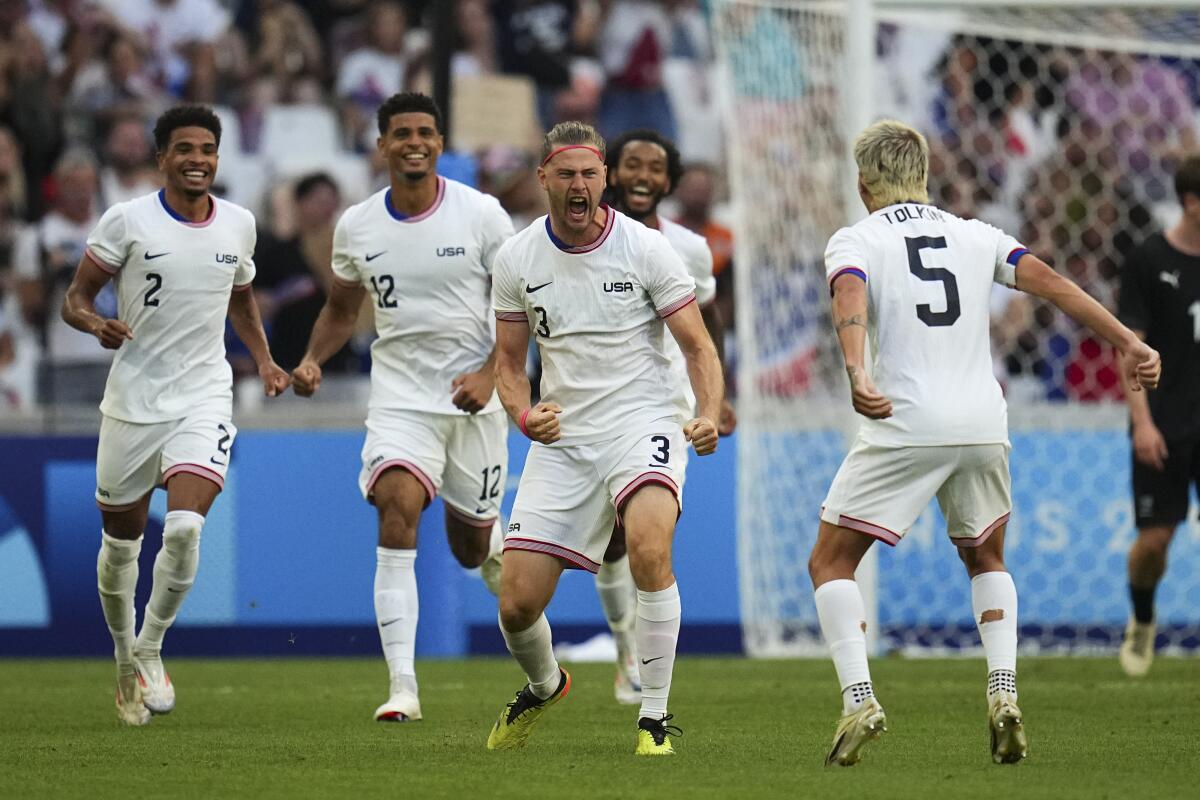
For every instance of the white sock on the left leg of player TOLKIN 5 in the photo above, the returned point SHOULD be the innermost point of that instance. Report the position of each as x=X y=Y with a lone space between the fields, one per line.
x=841 y=611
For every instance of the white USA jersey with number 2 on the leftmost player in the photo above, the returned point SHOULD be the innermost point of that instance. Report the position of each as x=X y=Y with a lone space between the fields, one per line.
x=173 y=281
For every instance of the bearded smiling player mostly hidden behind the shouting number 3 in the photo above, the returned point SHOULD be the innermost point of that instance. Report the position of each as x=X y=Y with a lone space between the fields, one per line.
x=644 y=169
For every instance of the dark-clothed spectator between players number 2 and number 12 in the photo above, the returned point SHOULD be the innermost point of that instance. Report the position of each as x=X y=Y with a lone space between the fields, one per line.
x=295 y=274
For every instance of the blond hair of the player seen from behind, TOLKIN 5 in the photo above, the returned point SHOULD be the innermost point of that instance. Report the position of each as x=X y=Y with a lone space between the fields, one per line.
x=893 y=163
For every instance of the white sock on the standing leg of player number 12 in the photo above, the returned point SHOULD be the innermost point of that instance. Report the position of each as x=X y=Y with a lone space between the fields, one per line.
x=397 y=611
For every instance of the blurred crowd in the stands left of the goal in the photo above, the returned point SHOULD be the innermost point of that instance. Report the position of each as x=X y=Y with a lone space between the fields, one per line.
x=297 y=83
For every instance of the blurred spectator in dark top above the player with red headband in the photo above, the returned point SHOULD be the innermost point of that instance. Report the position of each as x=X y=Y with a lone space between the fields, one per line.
x=544 y=40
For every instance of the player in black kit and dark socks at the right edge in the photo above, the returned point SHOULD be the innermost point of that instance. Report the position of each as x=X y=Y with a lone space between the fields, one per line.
x=1161 y=303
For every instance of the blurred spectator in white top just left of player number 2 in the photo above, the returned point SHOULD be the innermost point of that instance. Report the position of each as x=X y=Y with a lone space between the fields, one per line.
x=74 y=364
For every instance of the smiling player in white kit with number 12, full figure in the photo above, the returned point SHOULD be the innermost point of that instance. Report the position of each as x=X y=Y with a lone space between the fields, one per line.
x=424 y=248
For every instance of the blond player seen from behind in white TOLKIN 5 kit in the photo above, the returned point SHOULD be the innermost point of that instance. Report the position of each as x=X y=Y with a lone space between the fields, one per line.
x=917 y=280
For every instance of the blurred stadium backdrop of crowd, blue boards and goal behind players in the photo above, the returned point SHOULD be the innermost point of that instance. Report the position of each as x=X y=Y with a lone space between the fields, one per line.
x=1059 y=122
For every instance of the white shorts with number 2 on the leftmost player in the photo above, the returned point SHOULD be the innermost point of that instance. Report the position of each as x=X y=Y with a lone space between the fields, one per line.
x=134 y=459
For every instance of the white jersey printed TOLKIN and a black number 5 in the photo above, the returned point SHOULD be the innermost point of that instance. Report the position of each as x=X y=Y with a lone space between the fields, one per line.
x=929 y=276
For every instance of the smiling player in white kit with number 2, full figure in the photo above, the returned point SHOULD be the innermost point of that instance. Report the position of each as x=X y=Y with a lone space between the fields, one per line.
x=182 y=261
